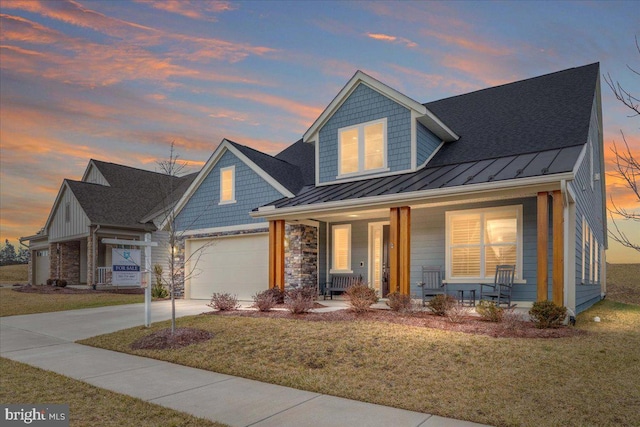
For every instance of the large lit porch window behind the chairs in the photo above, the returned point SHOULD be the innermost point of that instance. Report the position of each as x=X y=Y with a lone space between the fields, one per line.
x=478 y=240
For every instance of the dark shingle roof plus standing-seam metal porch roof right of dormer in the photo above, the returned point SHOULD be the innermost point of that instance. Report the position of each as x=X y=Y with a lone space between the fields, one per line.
x=530 y=131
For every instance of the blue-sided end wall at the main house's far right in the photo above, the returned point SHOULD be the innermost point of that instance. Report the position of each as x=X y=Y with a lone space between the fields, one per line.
x=589 y=200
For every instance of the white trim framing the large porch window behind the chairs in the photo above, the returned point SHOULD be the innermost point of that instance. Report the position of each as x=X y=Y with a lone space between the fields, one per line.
x=488 y=279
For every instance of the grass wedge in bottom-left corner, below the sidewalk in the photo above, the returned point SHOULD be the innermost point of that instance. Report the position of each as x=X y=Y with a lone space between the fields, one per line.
x=88 y=405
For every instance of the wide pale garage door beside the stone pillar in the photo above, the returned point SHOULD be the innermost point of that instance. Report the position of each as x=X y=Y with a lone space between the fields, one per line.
x=238 y=265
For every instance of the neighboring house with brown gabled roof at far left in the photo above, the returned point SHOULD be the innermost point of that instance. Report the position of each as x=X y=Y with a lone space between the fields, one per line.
x=111 y=201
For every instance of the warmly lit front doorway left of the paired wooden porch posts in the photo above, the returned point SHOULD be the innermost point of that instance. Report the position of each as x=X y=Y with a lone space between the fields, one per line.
x=379 y=257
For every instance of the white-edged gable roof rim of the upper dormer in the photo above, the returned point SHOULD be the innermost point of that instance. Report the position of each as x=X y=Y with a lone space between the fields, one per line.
x=424 y=115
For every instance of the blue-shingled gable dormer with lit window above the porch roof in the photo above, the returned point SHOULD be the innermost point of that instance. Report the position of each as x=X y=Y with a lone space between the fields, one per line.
x=370 y=130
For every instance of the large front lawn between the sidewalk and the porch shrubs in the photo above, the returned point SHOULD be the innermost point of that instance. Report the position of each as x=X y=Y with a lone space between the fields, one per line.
x=588 y=379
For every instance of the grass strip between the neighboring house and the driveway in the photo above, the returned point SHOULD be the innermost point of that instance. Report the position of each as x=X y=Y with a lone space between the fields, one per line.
x=13 y=303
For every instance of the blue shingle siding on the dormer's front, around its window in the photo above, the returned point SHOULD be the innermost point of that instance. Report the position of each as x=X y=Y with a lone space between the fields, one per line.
x=364 y=105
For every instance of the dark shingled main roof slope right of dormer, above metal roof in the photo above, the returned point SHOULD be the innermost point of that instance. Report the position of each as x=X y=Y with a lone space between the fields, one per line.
x=542 y=113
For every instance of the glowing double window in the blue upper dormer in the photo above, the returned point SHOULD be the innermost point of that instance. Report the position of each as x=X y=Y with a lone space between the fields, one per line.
x=362 y=148
